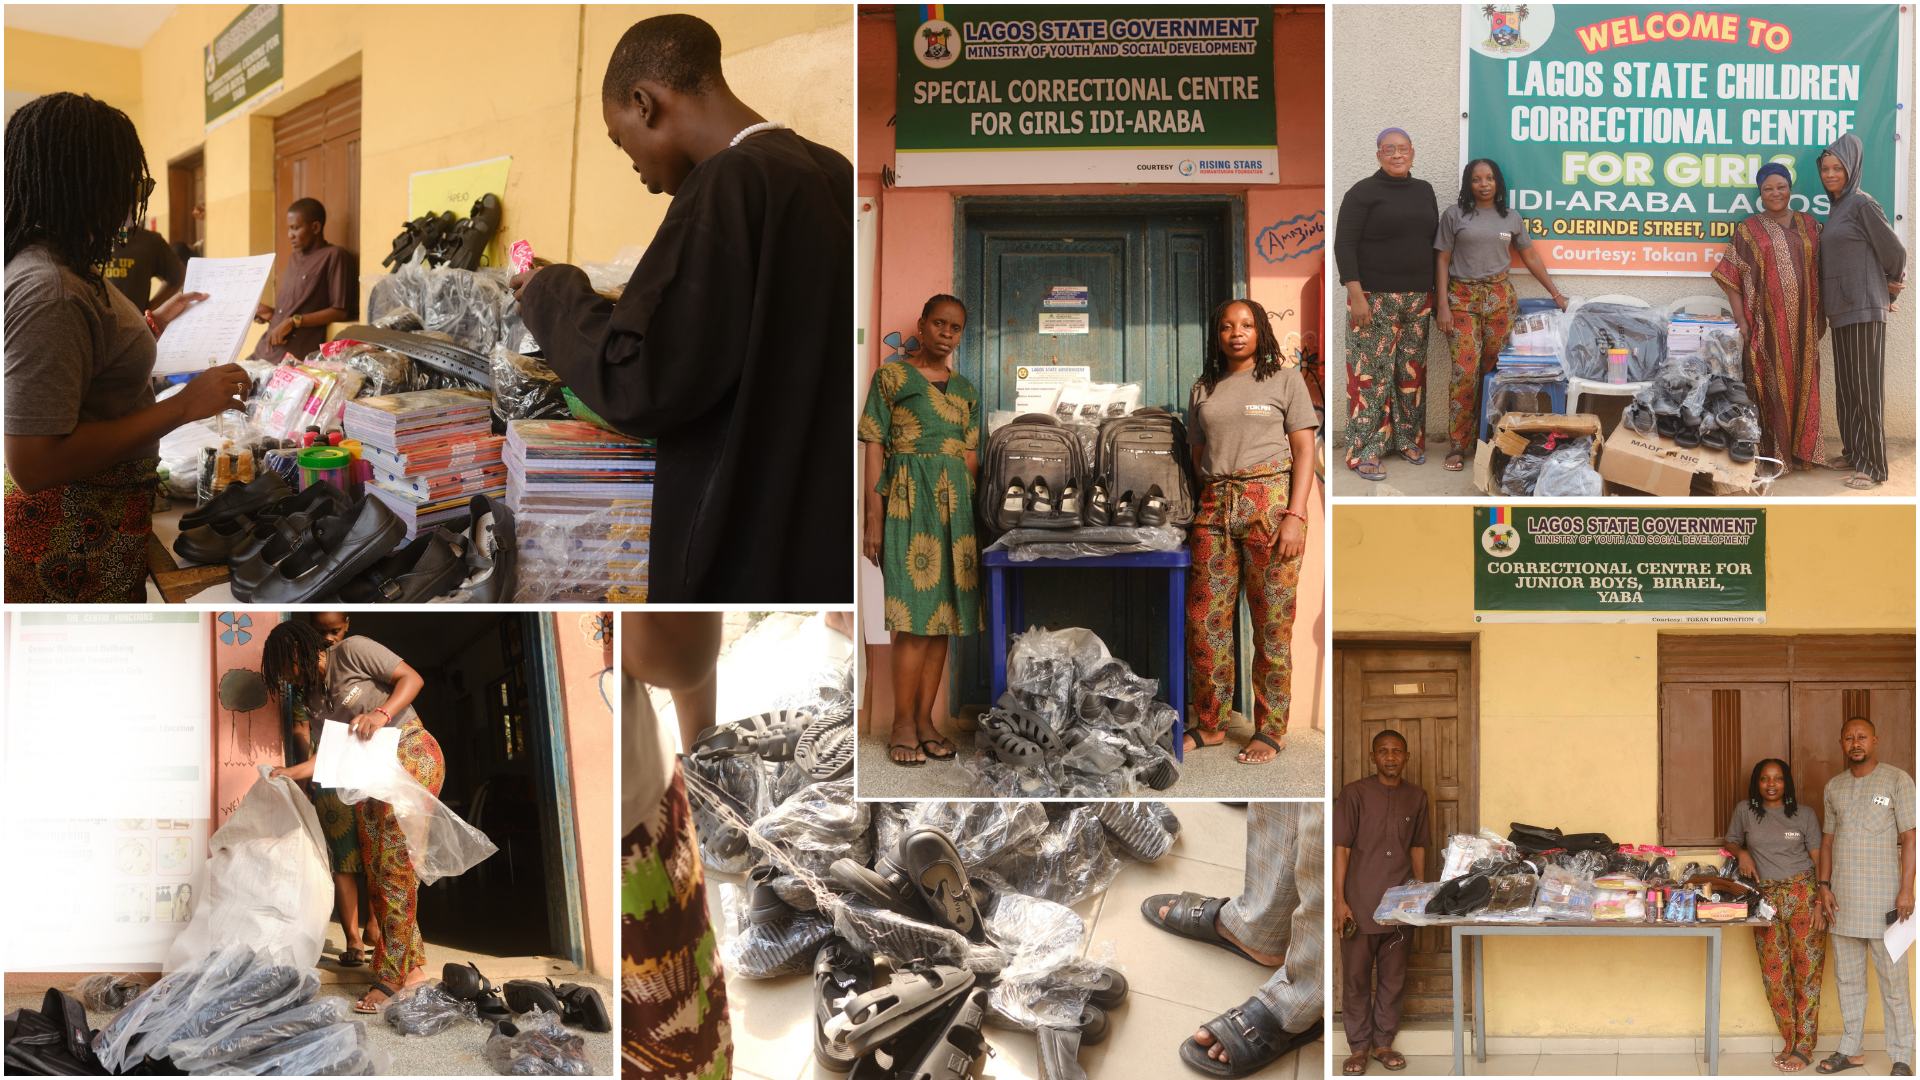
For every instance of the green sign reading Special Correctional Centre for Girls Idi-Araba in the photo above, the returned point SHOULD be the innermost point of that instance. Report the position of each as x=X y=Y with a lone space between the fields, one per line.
x=1030 y=95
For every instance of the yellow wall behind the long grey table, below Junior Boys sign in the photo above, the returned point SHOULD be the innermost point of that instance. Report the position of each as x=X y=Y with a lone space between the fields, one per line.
x=1570 y=737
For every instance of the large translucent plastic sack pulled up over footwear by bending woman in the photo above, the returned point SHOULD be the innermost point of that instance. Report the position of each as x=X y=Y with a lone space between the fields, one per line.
x=268 y=881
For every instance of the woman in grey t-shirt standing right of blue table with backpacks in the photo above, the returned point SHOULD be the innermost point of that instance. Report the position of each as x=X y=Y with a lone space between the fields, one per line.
x=1251 y=424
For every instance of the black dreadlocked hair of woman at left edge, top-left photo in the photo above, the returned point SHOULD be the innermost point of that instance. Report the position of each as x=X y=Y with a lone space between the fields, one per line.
x=74 y=176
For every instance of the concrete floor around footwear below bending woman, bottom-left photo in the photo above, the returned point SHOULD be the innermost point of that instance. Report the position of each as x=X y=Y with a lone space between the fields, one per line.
x=454 y=1052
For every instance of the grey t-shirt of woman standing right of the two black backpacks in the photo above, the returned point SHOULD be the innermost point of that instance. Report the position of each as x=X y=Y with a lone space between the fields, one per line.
x=1245 y=422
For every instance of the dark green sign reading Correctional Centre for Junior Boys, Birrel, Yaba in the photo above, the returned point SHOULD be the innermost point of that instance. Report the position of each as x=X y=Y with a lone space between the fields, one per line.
x=1602 y=566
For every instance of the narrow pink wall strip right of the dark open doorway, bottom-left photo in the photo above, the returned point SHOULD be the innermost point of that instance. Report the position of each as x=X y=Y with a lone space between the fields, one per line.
x=587 y=652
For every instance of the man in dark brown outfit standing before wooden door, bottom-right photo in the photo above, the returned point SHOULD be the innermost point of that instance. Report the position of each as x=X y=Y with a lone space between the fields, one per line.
x=1380 y=835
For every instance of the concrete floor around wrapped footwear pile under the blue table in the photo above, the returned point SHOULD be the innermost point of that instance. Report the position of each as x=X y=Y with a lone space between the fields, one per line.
x=1214 y=773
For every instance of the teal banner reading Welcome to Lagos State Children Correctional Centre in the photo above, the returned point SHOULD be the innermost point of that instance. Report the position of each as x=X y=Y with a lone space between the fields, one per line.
x=1631 y=134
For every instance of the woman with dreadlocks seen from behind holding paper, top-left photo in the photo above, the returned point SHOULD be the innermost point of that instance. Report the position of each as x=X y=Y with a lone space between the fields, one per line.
x=82 y=424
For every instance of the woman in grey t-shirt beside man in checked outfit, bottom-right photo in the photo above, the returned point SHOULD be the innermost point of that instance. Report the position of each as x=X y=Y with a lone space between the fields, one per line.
x=1779 y=843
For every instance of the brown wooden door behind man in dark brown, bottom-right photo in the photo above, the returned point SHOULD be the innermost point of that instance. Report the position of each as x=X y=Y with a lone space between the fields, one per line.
x=1428 y=697
